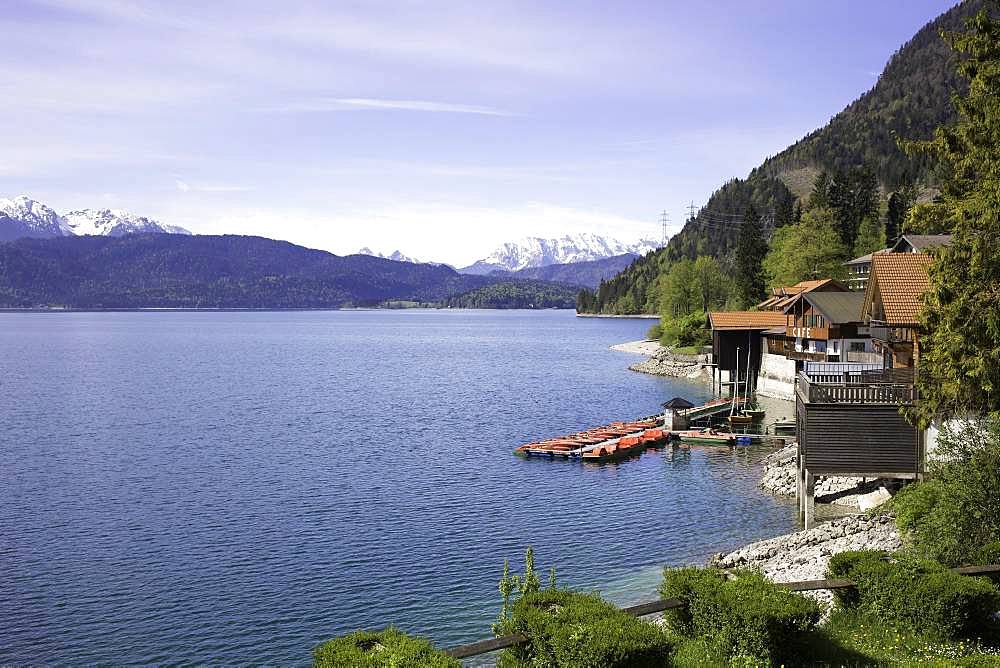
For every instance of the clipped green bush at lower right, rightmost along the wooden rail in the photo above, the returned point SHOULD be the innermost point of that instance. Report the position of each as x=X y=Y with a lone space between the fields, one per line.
x=920 y=594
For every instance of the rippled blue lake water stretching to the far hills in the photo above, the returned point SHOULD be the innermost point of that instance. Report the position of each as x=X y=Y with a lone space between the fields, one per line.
x=237 y=487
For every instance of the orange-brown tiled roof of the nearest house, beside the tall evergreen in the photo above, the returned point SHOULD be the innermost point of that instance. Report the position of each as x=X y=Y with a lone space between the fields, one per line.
x=898 y=281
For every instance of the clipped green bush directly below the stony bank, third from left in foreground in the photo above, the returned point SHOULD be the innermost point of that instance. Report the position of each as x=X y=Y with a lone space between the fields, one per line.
x=748 y=617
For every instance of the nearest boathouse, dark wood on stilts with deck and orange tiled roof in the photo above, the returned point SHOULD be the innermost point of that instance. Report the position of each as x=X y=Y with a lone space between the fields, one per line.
x=848 y=416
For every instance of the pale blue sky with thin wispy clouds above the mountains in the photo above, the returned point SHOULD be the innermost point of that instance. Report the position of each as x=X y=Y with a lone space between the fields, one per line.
x=441 y=129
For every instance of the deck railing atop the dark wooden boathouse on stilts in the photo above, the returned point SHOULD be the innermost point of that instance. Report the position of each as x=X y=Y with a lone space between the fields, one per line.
x=887 y=387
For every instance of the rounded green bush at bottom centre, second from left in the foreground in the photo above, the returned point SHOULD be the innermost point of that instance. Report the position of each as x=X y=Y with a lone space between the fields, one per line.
x=574 y=630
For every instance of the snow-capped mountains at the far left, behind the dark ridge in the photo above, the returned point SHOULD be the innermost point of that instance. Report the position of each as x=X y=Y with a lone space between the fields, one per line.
x=25 y=217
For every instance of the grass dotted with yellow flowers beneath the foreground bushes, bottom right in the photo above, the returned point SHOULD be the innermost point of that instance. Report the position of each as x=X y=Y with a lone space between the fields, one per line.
x=850 y=640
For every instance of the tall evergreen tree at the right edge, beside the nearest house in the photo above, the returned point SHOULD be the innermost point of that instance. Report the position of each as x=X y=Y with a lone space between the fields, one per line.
x=959 y=362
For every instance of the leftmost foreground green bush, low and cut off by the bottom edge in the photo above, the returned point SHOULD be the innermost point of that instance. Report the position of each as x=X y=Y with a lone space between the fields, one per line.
x=390 y=648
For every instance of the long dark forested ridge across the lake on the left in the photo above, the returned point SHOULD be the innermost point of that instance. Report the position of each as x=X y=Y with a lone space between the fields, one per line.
x=174 y=271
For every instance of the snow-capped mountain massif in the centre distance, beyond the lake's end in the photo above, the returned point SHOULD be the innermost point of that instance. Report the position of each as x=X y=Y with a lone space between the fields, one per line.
x=538 y=252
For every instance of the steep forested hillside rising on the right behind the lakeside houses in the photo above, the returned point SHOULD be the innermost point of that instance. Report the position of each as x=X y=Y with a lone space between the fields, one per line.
x=910 y=99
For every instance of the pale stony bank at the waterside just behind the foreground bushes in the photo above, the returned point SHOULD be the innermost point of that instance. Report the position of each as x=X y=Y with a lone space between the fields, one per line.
x=804 y=555
